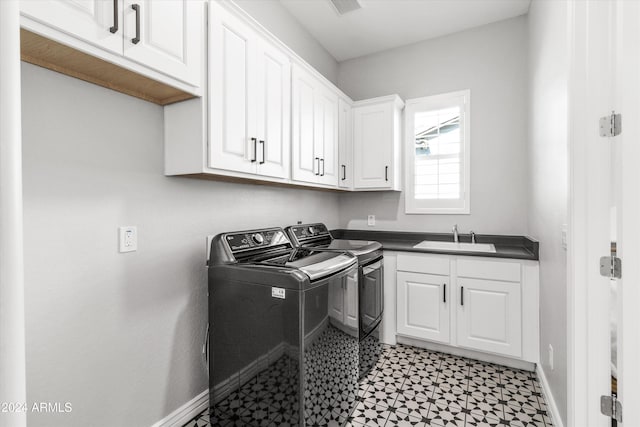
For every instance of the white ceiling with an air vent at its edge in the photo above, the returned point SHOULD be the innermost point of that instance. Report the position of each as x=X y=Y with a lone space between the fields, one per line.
x=385 y=24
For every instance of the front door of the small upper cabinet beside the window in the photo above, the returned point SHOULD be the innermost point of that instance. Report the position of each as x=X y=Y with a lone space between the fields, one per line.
x=373 y=145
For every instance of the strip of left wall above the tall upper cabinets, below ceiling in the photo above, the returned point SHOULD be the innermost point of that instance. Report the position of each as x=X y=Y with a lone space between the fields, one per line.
x=279 y=21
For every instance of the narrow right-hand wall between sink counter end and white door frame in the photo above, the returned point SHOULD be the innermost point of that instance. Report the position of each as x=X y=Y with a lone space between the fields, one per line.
x=548 y=195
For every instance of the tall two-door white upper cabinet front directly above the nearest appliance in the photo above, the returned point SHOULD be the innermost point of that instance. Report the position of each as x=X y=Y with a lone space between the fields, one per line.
x=249 y=92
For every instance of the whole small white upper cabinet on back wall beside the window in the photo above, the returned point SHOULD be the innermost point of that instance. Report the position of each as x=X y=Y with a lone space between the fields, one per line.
x=376 y=142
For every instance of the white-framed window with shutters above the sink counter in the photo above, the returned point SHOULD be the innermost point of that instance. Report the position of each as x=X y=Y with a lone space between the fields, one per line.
x=437 y=154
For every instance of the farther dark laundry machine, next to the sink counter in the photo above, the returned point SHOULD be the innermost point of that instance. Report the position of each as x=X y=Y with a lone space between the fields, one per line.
x=370 y=283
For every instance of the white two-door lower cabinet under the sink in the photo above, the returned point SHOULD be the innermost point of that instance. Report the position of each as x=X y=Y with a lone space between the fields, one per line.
x=466 y=302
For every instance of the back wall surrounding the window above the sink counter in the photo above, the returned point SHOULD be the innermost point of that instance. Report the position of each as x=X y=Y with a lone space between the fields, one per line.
x=491 y=61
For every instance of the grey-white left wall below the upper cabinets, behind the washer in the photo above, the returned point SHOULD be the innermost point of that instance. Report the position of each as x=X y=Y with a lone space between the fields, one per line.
x=119 y=335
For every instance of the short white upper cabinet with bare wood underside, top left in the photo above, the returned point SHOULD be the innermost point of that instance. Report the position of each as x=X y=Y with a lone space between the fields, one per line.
x=153 y=51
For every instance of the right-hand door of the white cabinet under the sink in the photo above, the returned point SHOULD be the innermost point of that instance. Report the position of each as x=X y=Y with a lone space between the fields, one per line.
x=489 y=316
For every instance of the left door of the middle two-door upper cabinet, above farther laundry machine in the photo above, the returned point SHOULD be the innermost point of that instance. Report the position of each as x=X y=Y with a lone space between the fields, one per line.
x=305 y=162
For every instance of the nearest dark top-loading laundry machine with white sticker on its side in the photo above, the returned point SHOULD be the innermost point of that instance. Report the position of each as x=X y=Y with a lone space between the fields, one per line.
x=275 y=356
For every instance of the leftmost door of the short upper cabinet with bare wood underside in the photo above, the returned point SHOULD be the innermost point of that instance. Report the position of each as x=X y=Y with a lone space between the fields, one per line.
x=89 y=20
